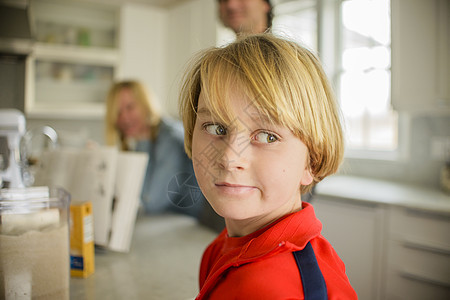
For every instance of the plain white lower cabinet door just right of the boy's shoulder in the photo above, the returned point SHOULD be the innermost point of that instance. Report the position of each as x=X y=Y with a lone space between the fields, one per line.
x=355 y=229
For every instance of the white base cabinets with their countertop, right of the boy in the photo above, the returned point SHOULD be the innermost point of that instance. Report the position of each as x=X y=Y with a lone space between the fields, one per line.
x=393 y=238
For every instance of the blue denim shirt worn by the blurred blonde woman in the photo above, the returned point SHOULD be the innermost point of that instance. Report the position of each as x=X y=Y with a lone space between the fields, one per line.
x=169 y=184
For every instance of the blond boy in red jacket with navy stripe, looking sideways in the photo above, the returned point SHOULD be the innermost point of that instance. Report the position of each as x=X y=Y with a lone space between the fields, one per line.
x=262 y=127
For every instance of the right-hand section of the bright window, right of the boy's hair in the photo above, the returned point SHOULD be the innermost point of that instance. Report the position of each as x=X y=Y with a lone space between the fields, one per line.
x=364 y=77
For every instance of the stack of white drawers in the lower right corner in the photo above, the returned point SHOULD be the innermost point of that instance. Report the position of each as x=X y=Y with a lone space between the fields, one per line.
x=418 y=255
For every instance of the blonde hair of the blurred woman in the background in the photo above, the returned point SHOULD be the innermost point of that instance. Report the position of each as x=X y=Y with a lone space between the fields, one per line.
x=139 y=92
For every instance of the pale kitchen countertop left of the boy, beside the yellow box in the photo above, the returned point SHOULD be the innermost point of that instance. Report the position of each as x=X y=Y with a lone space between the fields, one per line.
x=163 y=263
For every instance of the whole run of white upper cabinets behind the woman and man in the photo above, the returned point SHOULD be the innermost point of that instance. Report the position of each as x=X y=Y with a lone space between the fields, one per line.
x=83 y=46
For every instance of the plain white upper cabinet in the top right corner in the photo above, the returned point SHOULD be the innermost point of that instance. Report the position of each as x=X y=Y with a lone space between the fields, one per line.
x=421 y=55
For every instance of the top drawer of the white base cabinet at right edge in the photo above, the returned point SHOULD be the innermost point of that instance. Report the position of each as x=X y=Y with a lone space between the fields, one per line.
x=420 y=227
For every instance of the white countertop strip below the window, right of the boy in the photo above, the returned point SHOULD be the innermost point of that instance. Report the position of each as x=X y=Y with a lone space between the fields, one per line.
x=384 y=192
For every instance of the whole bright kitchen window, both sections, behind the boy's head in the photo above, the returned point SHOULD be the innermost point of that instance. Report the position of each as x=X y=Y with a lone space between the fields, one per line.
x=361 y=59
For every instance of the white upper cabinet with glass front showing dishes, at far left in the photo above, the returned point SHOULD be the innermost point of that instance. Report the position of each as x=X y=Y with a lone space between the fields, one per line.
x=75 y=59
